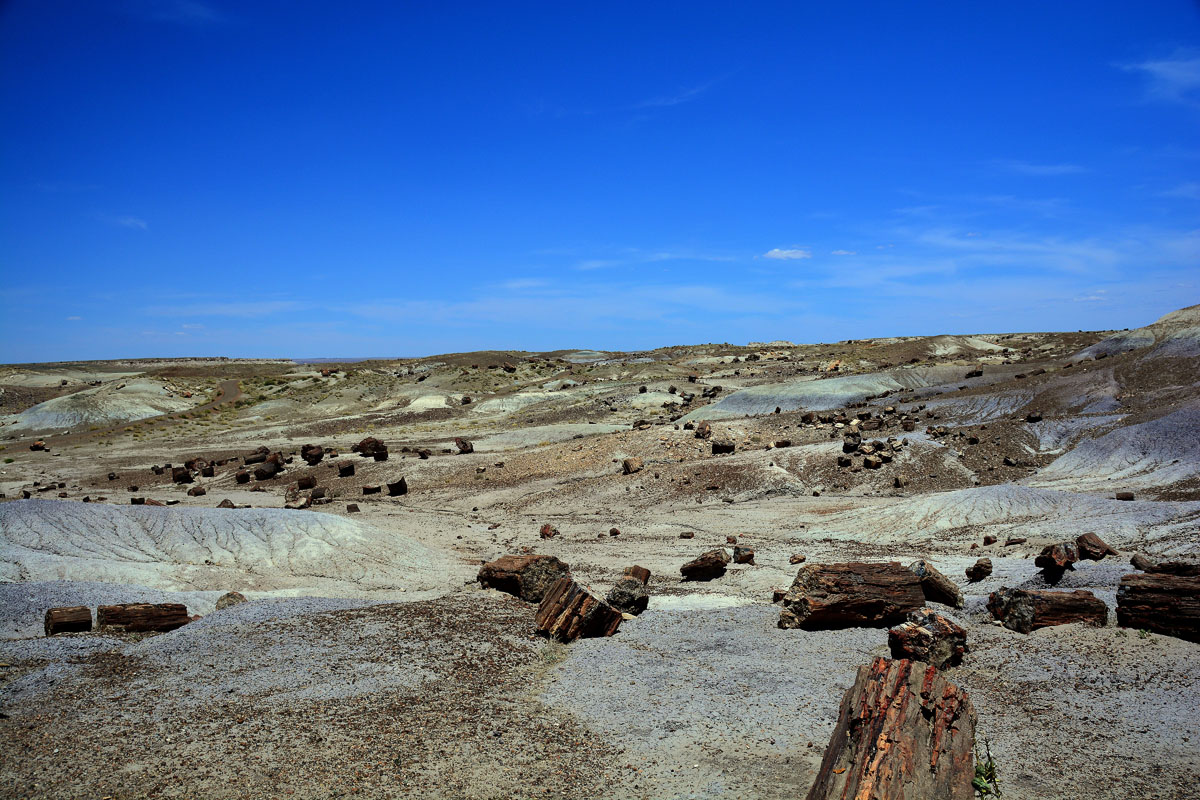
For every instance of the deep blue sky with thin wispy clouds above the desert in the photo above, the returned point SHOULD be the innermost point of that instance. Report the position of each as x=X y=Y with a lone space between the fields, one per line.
x=313 y=179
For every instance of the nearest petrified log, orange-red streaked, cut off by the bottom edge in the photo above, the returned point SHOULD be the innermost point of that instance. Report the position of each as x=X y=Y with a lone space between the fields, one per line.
x=904 y=732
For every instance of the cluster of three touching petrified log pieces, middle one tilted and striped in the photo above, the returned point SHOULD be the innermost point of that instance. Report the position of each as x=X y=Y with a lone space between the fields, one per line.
x=567 y=610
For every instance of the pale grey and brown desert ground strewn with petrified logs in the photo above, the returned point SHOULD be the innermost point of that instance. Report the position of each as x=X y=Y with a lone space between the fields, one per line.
x=370 y=663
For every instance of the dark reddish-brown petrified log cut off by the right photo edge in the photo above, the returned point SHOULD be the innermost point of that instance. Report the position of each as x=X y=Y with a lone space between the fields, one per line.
x=1160 y=603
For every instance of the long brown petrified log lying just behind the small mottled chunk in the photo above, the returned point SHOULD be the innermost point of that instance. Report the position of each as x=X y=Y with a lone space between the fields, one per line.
x=851 y=596
